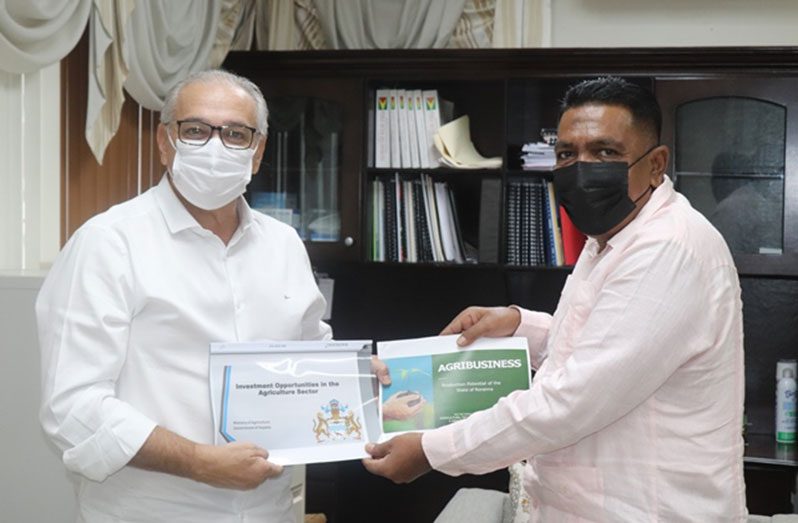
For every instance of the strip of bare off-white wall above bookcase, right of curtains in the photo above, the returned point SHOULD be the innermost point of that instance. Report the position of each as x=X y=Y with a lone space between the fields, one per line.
x=673 y=23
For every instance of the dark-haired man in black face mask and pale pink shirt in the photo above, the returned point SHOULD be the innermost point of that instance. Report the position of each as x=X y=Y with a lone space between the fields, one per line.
x=635 y=412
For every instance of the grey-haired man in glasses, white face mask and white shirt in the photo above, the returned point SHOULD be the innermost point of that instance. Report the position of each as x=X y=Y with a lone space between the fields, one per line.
x=128 y=310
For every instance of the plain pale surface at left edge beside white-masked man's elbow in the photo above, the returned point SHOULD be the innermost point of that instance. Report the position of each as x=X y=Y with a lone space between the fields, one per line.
x=34 y=486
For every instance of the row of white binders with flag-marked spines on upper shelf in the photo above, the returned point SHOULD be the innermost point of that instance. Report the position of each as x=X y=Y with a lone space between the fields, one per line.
x=405 y=122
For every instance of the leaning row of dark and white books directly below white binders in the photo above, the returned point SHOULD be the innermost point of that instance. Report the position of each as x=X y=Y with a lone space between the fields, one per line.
x=414 y=220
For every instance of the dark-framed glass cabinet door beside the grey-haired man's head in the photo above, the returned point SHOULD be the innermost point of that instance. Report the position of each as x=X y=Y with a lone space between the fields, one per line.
x=310 y=174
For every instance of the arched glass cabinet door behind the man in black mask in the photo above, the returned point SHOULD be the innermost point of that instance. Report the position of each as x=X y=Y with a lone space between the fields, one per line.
x=732 y=154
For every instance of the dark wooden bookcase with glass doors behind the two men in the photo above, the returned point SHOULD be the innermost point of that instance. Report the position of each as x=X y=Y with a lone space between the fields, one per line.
x=509 y=95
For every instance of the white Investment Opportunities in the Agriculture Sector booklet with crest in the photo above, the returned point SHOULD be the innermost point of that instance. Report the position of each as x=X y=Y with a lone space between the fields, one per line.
x=303 y=401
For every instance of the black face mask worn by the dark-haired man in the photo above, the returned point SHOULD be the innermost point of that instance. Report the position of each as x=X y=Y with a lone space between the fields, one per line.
x=596 y=194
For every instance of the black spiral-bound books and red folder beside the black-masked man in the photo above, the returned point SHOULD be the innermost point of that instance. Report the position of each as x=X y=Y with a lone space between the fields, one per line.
x=539 y=232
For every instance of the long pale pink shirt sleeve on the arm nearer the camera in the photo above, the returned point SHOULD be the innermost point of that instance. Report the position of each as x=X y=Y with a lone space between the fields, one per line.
x=646 y=320
